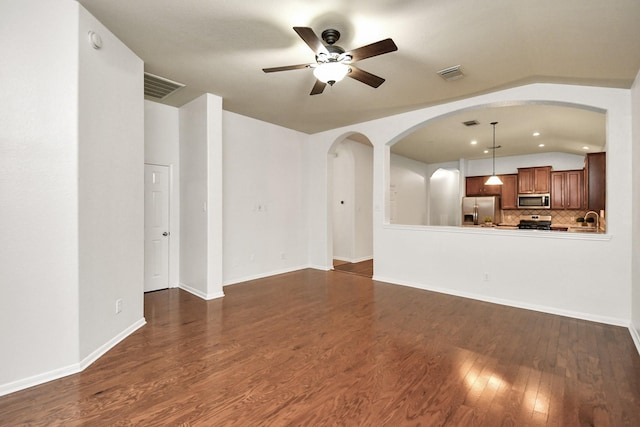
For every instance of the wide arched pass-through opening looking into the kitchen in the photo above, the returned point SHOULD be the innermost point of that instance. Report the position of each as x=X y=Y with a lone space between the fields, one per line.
x=533 y=134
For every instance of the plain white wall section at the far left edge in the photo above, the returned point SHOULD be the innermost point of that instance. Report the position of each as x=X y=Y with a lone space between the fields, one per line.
x=38 y=190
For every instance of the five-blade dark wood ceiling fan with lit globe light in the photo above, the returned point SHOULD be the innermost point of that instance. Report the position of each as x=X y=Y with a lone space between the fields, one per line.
x=333 y=63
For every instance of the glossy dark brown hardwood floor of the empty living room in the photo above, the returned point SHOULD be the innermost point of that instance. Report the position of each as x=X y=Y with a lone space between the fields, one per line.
x=313 y=348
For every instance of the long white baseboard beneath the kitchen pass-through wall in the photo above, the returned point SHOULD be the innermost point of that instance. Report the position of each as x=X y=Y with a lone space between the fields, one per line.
x=510 y=303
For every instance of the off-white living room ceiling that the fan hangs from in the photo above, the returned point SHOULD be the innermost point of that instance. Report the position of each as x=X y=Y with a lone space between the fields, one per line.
x=221 y=46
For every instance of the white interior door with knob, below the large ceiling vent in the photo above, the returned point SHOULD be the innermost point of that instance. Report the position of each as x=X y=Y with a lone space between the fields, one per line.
x=156 y=227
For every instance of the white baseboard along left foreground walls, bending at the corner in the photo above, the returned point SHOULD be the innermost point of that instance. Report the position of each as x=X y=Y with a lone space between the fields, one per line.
x=55 y=374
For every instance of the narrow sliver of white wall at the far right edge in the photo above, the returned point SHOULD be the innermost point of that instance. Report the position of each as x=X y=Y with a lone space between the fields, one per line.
x=635 y=213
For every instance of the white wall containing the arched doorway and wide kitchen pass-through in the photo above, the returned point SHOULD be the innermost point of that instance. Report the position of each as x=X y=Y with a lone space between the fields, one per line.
x=589 y=276
